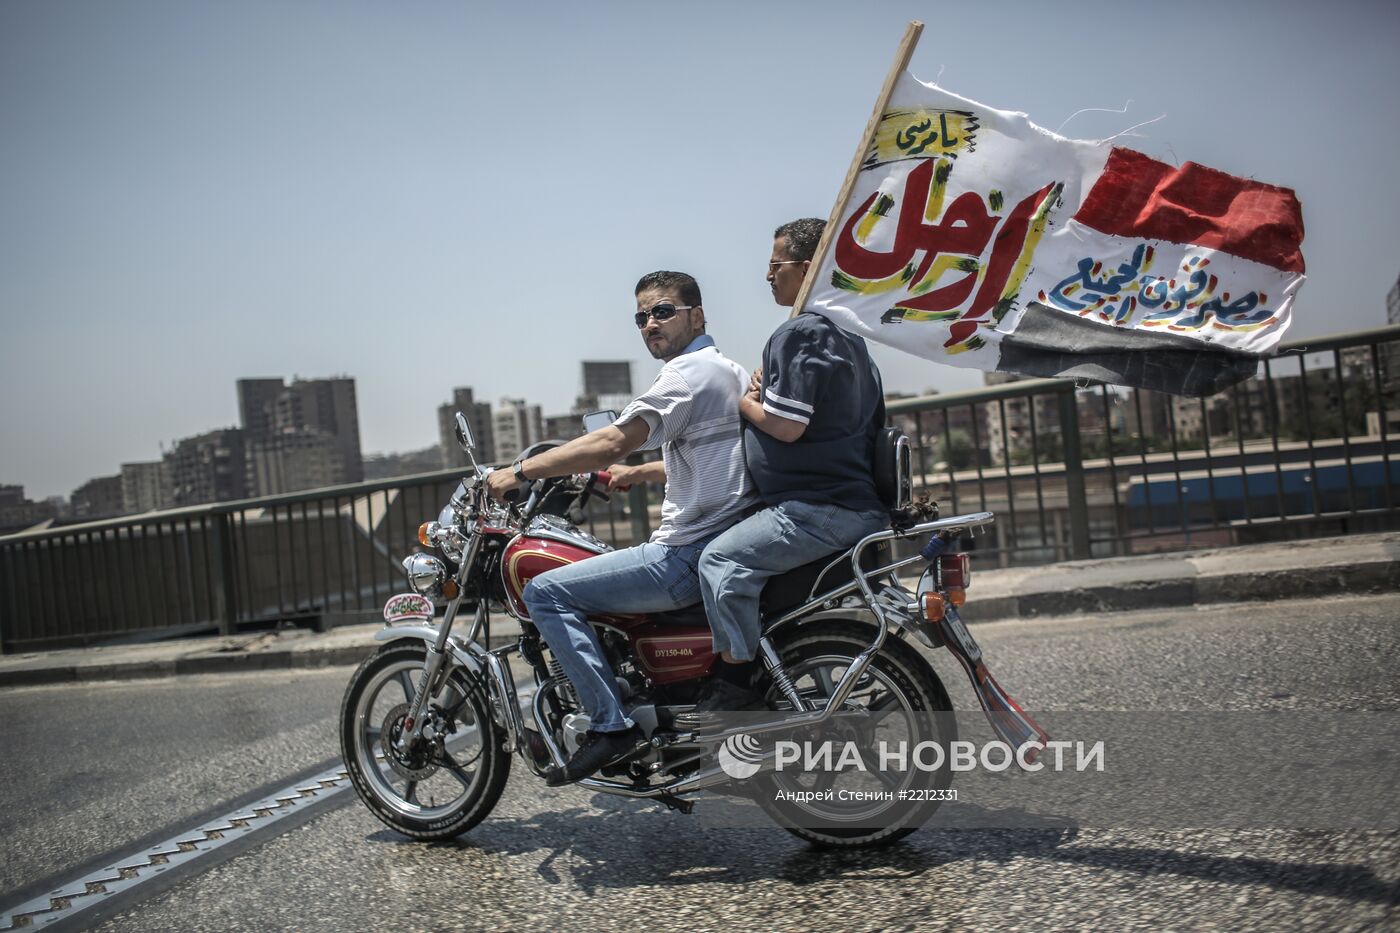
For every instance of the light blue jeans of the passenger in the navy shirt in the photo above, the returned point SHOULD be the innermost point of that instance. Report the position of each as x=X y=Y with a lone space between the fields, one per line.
x=737 y=564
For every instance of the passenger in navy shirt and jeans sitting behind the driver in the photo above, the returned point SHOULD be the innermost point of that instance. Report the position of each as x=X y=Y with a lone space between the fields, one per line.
x=813 y=413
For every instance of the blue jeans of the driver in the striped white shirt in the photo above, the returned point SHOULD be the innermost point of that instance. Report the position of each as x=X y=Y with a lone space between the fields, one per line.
x=649 y=578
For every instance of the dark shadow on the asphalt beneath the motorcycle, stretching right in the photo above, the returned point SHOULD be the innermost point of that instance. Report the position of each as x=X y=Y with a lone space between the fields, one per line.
x=617 y=845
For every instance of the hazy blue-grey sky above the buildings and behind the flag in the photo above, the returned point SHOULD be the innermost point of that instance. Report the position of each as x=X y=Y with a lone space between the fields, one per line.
x=426 y=195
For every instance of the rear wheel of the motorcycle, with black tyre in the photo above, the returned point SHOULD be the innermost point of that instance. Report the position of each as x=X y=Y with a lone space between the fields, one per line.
x=899 y=683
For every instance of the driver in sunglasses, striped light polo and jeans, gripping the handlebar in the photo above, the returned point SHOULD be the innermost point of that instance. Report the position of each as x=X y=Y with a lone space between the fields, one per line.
x=692 y=414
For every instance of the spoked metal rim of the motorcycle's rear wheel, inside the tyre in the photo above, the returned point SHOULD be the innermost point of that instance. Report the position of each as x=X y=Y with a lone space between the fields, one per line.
x=881 y=711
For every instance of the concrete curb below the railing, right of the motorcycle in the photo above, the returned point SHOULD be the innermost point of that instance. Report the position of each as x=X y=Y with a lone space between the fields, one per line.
x=1359 y=579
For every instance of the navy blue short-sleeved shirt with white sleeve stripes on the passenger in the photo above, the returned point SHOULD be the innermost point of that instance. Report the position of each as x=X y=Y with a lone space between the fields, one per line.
x=824 y=378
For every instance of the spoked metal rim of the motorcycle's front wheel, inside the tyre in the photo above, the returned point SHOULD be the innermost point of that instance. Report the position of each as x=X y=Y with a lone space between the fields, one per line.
x=432 y=782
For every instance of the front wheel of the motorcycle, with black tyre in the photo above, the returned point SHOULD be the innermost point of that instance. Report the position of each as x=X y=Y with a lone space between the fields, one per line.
x=443 y=787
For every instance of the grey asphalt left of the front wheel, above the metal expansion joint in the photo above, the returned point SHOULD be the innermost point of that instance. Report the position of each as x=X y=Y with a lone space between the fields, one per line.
x=100 y=768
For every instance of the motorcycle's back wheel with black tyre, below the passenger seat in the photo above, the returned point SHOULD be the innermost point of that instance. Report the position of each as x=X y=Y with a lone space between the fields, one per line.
x=899 y=703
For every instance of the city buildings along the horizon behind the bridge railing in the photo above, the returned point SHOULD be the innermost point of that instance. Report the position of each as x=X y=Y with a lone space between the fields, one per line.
x=1301 y=399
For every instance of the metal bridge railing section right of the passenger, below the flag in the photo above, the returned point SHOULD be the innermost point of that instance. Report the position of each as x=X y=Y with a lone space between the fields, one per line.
x=1077 y=470
